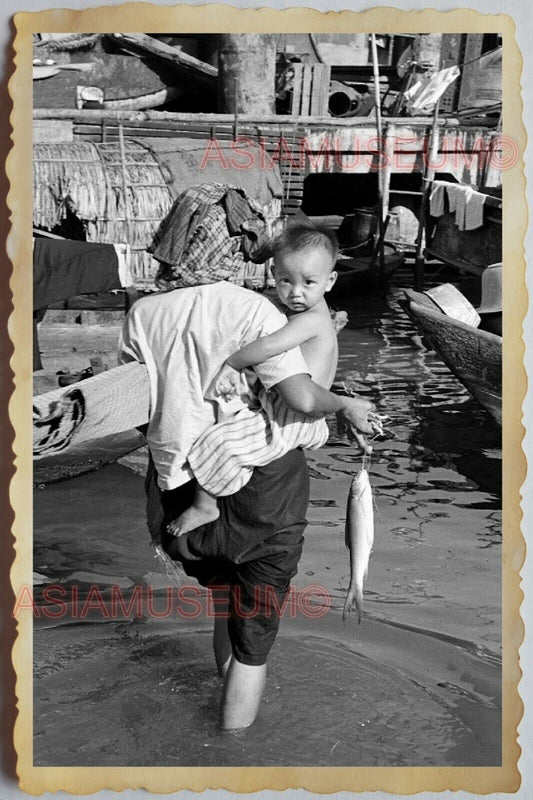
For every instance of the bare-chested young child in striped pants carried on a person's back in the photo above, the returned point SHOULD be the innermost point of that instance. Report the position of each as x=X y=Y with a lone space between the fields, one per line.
x=223 y=457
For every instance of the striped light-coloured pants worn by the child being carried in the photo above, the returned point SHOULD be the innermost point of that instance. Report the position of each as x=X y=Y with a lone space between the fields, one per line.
x=224 y=456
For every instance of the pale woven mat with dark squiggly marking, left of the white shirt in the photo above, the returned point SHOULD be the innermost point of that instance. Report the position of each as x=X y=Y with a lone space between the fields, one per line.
x=111 y=402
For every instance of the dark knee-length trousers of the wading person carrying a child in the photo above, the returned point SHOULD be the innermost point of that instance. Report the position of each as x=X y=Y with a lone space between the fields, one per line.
x=253 y=549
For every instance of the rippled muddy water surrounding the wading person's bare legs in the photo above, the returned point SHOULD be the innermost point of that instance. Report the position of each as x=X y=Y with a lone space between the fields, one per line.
x=417 y=683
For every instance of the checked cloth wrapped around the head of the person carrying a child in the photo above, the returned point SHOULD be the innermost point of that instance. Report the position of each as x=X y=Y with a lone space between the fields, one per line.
x=209 y=234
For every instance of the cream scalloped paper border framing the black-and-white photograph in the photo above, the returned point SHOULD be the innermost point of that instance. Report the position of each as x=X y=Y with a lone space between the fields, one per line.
x=140 y=17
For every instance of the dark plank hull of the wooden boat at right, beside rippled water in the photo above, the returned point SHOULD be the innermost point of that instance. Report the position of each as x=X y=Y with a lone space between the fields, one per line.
x=473 y=355
